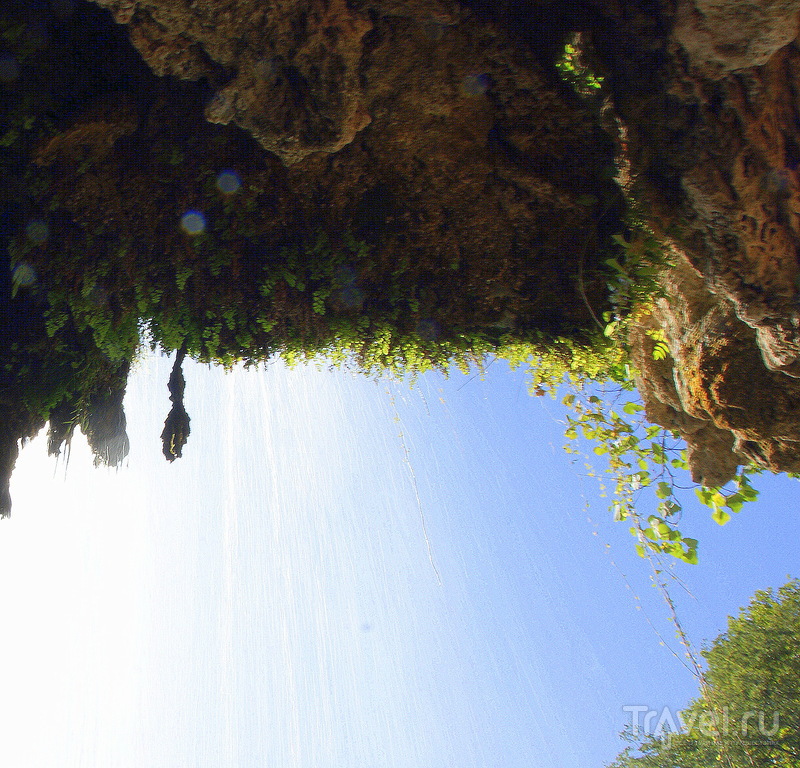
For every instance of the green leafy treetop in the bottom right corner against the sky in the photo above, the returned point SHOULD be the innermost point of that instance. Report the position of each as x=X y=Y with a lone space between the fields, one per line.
x=748 y=715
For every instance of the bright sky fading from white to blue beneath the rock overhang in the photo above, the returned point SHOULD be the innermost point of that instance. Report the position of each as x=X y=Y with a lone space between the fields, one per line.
x=307 y=587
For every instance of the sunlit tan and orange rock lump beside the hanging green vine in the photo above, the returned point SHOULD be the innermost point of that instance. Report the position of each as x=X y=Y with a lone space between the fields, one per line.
x=714 y=388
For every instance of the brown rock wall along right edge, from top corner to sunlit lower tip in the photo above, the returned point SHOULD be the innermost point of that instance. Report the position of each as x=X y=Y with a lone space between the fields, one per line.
x=713 y=140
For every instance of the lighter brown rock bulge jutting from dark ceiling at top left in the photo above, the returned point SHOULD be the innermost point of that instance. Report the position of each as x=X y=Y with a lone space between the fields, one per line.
x=291 y=67
